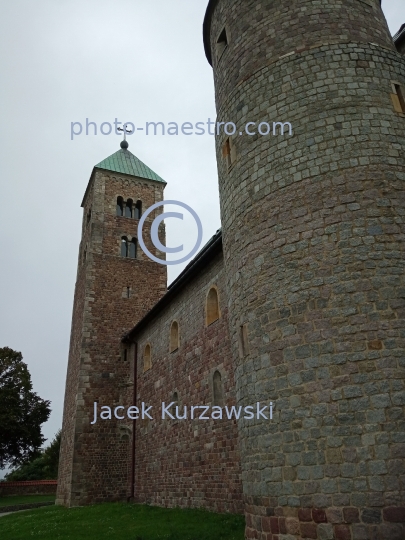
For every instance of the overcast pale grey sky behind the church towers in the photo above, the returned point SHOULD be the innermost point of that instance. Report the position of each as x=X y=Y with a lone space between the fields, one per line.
x=99 y=59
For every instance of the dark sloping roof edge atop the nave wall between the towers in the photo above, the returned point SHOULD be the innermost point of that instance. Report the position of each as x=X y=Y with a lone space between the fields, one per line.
x=200 y=261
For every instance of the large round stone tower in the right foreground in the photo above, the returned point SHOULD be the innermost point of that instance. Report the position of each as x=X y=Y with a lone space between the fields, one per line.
x=313 y=227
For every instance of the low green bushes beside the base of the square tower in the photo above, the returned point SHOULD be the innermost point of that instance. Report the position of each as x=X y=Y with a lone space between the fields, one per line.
x=44 y=467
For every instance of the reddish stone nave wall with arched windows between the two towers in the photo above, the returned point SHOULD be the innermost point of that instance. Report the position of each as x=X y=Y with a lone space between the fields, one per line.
x=188 y=463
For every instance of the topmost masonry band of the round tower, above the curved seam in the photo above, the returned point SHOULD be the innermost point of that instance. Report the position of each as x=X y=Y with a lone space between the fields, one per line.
x=274 y=29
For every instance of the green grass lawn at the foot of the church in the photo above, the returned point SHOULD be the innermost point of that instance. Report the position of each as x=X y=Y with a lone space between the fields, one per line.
x=120 y=521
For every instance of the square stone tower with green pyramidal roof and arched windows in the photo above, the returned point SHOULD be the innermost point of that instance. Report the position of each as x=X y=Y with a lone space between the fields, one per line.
x=116 y=285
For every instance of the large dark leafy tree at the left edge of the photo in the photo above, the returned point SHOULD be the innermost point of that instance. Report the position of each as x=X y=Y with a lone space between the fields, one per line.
x=22 y=411
